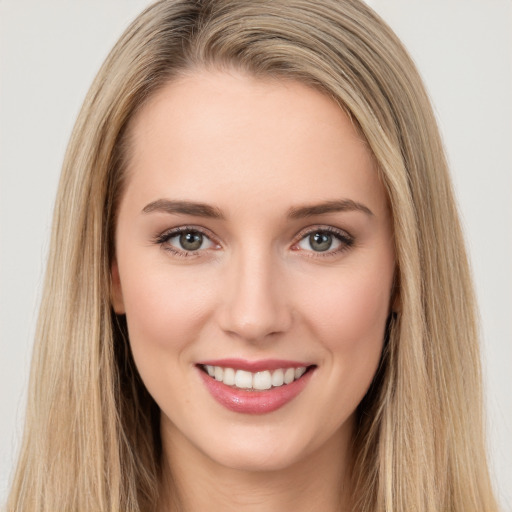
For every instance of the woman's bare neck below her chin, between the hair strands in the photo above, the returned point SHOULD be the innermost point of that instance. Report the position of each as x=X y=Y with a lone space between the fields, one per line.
x=192 y=481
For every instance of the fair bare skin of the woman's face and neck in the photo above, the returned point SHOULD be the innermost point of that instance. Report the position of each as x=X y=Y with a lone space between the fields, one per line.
x=253 y=150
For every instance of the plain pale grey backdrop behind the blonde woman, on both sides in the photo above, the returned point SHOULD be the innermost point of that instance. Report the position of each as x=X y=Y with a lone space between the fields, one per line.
x=49 y=53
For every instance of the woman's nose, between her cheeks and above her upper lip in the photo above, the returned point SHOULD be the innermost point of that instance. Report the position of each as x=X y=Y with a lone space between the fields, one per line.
x=255 y=303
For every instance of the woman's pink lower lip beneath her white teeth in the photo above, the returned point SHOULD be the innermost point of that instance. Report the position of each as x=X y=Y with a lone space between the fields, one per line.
x=254 y=402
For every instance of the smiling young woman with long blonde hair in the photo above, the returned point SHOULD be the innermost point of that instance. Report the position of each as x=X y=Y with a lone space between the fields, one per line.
x=338 y=363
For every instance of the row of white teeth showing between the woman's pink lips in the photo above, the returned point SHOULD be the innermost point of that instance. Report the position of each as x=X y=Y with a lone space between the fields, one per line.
x=255 y=381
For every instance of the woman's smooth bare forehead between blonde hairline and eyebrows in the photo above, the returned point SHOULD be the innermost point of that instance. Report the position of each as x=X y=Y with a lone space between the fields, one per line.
x=219 y=133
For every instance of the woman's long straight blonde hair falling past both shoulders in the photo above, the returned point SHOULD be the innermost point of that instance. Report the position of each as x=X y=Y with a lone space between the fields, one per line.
x=91 y=439
